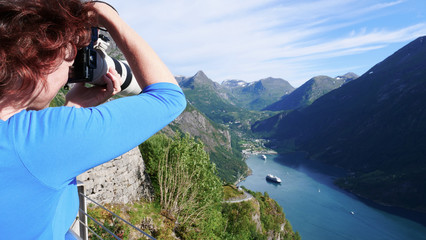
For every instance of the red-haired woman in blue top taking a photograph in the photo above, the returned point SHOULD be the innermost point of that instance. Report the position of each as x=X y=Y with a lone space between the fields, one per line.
x=43 y=149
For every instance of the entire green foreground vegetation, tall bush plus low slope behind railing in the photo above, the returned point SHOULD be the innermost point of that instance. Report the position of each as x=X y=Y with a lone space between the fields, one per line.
x=189 y=200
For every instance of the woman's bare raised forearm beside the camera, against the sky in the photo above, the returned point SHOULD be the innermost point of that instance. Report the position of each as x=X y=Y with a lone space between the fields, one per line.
x=144 y=62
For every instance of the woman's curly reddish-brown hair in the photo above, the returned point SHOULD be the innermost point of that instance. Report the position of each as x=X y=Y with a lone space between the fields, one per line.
x=34 y=34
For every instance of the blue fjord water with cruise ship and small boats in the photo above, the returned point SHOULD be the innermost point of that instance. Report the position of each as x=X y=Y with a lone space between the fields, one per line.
x=317 y=208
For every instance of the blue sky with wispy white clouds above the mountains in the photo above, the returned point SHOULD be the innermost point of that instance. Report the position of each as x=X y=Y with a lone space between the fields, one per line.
x=290 y=39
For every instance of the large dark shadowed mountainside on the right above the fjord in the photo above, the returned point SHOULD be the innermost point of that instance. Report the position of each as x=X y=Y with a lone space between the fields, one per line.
x=374 y=127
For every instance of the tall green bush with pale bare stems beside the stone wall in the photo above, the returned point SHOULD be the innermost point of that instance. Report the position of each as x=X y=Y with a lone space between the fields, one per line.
x=188 y=187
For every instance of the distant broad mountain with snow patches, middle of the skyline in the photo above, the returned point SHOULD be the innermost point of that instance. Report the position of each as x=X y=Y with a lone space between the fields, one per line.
x=257 y=95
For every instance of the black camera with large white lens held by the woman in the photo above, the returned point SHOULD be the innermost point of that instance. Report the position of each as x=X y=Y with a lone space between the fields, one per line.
x=92 y=63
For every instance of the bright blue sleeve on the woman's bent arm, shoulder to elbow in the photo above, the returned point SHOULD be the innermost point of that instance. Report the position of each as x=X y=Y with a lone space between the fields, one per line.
x=58 y=144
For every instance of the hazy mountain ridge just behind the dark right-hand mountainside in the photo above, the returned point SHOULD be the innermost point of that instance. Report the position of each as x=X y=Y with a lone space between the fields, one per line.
x=310 y=91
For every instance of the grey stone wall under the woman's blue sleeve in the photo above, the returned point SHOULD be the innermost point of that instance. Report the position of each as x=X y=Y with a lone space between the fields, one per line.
x=121 y=180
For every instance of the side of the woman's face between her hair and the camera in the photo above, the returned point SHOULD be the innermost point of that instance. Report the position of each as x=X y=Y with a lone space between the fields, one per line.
x=54 y=82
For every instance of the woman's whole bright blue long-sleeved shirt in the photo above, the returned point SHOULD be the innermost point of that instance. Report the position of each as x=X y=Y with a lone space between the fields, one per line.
x=42 y=152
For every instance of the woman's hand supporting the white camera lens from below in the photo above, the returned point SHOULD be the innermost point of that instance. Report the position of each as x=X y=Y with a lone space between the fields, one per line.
x=82 y=96
